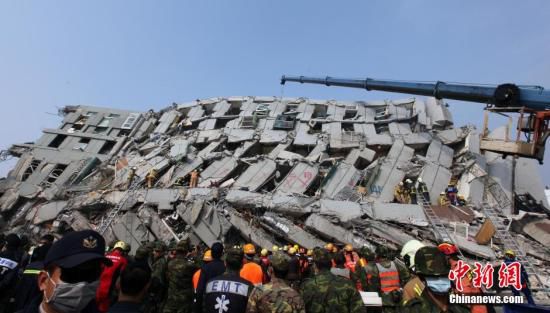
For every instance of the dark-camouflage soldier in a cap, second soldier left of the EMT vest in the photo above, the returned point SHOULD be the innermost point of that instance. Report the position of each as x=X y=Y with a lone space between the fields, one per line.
x=179 y=276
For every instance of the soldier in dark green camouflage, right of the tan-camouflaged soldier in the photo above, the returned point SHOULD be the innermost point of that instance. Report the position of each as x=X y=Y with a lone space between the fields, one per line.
x=328 y=293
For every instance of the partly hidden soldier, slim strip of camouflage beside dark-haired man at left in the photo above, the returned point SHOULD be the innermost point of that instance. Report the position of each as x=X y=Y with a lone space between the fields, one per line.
x=157 y=292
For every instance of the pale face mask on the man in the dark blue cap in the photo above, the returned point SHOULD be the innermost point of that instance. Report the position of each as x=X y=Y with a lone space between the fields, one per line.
x=71 y=298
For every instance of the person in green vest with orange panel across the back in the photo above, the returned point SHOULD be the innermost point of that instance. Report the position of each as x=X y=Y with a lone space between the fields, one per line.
x=388 y=276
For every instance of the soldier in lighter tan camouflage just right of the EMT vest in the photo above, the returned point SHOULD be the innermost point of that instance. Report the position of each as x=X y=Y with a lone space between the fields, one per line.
x=276 y=296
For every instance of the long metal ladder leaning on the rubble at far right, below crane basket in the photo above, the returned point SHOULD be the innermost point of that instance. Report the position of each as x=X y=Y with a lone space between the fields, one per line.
x=510 y=242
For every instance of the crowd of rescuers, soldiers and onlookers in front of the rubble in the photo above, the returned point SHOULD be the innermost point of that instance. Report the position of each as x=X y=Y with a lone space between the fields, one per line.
x=79 y=273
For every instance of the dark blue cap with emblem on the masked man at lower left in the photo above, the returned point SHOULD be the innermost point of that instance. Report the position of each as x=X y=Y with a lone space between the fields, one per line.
x=76 y=248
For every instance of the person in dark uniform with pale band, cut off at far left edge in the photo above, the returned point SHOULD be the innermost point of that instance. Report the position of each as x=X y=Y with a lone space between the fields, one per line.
x=9 y=267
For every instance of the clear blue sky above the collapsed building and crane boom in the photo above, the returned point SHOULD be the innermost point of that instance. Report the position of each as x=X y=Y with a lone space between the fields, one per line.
x=147 y=54
